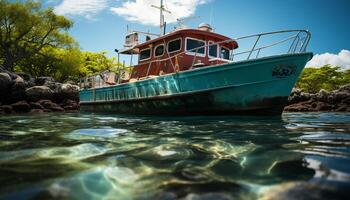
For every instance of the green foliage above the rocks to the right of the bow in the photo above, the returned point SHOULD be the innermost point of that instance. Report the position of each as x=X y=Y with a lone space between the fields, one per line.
x=327 y=77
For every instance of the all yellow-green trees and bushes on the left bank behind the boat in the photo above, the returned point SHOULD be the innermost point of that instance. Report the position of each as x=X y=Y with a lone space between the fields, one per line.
x=35 y=41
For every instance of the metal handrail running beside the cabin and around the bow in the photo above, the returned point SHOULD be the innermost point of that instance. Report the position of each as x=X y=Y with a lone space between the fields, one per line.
x=293 y=48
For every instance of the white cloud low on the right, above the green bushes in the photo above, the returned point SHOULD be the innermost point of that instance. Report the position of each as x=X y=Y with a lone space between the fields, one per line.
x=342 y=59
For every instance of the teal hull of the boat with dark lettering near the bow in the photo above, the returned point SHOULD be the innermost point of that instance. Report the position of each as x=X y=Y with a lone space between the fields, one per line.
x=254 y=87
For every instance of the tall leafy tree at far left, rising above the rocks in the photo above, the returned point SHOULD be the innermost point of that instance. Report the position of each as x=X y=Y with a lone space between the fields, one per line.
x=26 y=30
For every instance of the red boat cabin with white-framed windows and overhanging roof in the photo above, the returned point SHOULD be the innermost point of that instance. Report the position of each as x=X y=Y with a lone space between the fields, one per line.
x=181 y=50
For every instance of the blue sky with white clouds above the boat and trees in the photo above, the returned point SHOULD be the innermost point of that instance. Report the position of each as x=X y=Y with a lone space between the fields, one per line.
x=100 y=25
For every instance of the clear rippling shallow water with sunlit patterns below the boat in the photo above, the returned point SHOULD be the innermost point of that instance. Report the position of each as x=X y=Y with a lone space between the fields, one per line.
x=90 y=156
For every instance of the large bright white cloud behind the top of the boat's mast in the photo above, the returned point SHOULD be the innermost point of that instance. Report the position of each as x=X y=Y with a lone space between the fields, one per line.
x=140 y=11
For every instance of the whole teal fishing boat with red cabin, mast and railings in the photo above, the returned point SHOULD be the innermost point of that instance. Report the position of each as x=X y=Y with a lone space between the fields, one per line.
x=199 y=72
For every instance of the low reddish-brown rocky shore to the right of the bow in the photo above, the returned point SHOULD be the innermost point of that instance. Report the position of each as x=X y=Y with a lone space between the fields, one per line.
x=335 y=101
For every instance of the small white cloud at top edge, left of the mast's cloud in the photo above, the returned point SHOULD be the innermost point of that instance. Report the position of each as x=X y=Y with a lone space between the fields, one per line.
x=85 y=8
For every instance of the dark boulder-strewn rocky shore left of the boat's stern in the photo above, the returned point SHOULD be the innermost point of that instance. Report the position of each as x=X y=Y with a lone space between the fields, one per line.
x=21 y=93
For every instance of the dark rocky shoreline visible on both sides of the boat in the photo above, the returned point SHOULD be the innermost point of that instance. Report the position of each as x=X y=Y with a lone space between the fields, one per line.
x=21 y=93
